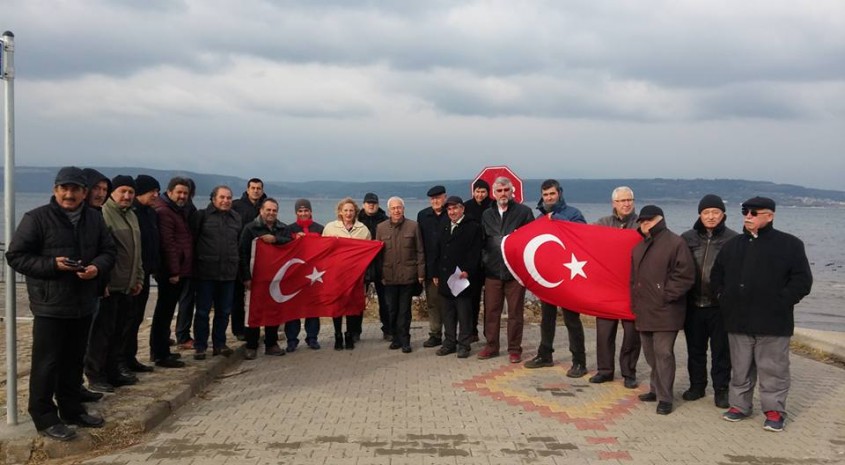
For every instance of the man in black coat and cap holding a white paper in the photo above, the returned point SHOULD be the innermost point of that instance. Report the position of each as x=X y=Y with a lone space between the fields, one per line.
x=458 y=259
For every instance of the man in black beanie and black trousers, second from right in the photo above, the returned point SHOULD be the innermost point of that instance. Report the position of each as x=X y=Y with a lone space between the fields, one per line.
x=703 y=325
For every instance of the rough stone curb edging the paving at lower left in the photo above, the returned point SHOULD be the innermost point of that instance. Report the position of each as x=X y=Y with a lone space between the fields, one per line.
x=24 y=443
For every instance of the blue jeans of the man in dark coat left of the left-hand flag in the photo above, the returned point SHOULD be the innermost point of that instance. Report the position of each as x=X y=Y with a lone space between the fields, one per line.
x=220 y=294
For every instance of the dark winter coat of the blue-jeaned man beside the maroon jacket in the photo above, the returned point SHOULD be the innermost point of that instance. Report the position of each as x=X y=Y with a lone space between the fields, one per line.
x=217 y=234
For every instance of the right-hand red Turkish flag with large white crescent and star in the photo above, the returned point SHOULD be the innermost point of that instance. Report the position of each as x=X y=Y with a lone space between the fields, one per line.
x=581 y=267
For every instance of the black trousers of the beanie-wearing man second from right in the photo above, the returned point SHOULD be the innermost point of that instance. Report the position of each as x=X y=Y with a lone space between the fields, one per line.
x=703 y=325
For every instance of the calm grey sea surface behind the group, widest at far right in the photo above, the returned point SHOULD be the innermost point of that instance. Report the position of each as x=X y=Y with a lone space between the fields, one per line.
x=819 y=228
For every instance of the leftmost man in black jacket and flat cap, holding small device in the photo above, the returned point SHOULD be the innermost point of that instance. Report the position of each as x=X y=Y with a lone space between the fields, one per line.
x=61 y=274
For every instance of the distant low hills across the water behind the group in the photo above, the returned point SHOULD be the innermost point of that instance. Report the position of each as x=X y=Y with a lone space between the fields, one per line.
x=40 y=179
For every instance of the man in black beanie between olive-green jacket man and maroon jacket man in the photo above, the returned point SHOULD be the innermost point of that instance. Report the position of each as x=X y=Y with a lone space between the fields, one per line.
x=147 y=191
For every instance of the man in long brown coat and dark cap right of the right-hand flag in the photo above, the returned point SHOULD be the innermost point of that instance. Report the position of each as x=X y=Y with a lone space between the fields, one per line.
x=662 y=271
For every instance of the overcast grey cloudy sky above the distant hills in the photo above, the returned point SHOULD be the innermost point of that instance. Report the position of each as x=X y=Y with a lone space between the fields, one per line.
x=430 y=89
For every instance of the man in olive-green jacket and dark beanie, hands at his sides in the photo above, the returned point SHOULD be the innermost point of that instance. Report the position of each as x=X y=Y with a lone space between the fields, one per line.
x=105 y=363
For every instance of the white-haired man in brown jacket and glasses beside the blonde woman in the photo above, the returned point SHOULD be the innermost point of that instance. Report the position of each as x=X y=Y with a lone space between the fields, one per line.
x=403 y=269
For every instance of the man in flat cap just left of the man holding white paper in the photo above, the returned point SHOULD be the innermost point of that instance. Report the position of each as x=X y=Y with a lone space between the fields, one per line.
x=432 y=221
